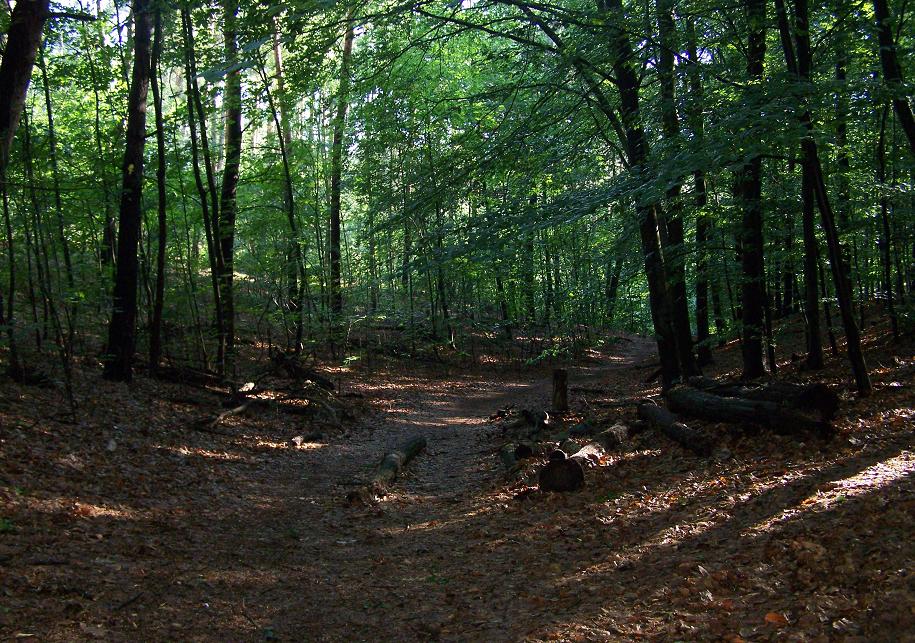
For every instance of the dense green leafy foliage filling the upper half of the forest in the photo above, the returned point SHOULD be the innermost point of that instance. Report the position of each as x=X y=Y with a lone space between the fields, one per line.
x=486 y=165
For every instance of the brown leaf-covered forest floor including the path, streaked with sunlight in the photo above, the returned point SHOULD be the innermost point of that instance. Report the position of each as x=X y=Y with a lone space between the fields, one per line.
x=130 y=524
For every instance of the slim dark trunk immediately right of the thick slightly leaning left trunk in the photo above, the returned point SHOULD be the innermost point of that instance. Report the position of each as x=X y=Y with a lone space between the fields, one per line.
x=155 y=330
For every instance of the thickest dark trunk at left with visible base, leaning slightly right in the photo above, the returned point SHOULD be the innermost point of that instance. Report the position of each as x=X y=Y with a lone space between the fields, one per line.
x=122 y=328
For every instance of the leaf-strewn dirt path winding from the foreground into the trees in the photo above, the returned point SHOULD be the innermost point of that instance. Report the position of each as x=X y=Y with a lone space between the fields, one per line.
x=396 y=571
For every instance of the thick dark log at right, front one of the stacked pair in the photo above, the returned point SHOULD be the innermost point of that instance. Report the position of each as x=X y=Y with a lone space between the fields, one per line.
x=782 y=419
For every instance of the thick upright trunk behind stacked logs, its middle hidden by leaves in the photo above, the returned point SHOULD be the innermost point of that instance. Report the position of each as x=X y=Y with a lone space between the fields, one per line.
x=749 y=188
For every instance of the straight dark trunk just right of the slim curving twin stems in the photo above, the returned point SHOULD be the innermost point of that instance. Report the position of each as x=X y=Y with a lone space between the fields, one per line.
x=228 y=205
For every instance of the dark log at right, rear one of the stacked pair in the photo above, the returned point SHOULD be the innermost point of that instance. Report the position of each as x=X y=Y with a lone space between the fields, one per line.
x=814 y=399
